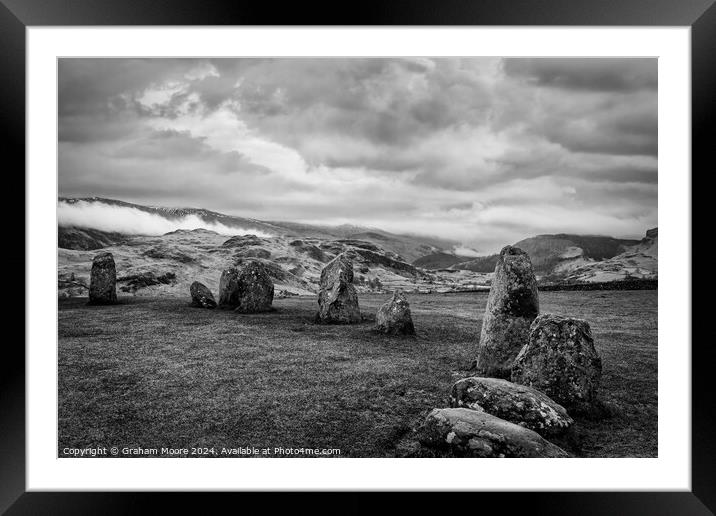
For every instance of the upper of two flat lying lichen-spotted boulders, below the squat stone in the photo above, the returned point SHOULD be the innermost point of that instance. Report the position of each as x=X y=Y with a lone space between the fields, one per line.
x=512 y=402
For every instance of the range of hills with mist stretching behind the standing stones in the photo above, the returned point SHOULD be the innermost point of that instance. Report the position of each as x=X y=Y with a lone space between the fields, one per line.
x=152 y=261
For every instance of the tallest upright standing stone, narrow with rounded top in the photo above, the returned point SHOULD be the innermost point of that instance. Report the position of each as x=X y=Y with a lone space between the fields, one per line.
x=512 y=305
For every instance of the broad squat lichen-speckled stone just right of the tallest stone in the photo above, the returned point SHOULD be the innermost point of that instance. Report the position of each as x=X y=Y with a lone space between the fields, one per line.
x=560 y=360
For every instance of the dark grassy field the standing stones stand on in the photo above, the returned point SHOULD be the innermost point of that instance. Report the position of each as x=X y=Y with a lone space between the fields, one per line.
x=155 y=373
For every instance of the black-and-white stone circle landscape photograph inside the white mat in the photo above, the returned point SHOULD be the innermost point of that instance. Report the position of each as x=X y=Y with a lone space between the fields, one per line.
x=357 y=257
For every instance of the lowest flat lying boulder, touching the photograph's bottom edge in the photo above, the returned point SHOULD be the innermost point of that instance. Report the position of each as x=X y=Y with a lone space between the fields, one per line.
x=468 y=433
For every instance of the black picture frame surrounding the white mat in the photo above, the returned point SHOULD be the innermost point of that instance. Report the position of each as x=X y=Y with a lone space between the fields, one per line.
x=700 y=15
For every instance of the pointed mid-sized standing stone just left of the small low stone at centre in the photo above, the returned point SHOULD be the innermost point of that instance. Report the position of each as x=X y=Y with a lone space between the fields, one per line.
x=337 y=298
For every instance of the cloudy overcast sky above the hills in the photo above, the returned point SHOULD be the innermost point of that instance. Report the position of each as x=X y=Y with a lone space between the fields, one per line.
x=484 y=151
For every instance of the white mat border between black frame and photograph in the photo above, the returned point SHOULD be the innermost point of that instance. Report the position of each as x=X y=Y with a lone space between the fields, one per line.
x=671 y=470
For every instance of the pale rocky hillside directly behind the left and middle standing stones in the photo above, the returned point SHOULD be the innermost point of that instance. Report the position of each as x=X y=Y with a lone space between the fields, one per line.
x=167 y=264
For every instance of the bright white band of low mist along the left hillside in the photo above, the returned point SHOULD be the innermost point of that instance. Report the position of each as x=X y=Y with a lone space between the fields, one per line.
x=132 y=221
